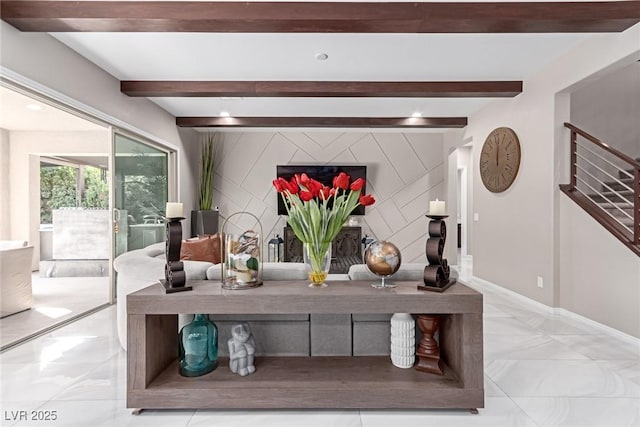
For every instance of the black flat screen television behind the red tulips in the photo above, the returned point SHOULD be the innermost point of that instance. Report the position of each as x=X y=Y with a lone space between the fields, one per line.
x=324 y=174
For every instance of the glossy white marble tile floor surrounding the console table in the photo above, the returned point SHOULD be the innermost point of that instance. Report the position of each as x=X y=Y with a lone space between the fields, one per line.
x=541 y=369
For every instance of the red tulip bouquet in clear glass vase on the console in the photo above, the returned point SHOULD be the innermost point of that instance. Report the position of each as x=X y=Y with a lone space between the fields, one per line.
x=316 y=213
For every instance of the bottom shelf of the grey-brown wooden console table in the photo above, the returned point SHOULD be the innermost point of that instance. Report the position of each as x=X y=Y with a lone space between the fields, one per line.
x=310 y=382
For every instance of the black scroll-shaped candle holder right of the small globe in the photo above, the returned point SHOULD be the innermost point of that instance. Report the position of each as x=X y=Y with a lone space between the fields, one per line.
x=437 y=275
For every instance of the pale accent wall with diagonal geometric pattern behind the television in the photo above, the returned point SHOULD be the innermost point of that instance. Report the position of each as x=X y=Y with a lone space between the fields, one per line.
x=404 y=172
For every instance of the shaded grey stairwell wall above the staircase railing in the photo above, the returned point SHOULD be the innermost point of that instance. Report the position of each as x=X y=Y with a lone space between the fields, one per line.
x=609 y=109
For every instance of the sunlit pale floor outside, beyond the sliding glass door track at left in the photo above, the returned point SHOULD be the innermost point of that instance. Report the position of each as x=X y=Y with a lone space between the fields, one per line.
x=55 y=299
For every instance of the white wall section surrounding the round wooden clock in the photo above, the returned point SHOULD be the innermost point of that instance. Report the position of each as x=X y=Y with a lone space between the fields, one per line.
x=513 y=239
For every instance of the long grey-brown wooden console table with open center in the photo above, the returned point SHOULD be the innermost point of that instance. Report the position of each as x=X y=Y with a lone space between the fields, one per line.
x=304 y=382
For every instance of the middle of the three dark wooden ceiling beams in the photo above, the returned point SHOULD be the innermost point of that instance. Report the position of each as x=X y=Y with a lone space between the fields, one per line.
x=259 y=89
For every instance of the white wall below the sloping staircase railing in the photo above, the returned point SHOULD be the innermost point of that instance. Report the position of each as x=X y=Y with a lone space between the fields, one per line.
x=600 y=276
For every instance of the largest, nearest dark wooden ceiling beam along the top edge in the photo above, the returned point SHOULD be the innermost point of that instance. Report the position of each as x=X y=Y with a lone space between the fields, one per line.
x=320 y=17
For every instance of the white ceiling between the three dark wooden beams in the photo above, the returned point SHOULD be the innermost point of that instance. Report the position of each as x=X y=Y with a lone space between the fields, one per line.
x=357 y=57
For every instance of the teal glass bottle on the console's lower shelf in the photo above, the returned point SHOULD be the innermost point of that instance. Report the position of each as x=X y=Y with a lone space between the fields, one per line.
x=198 y=353
